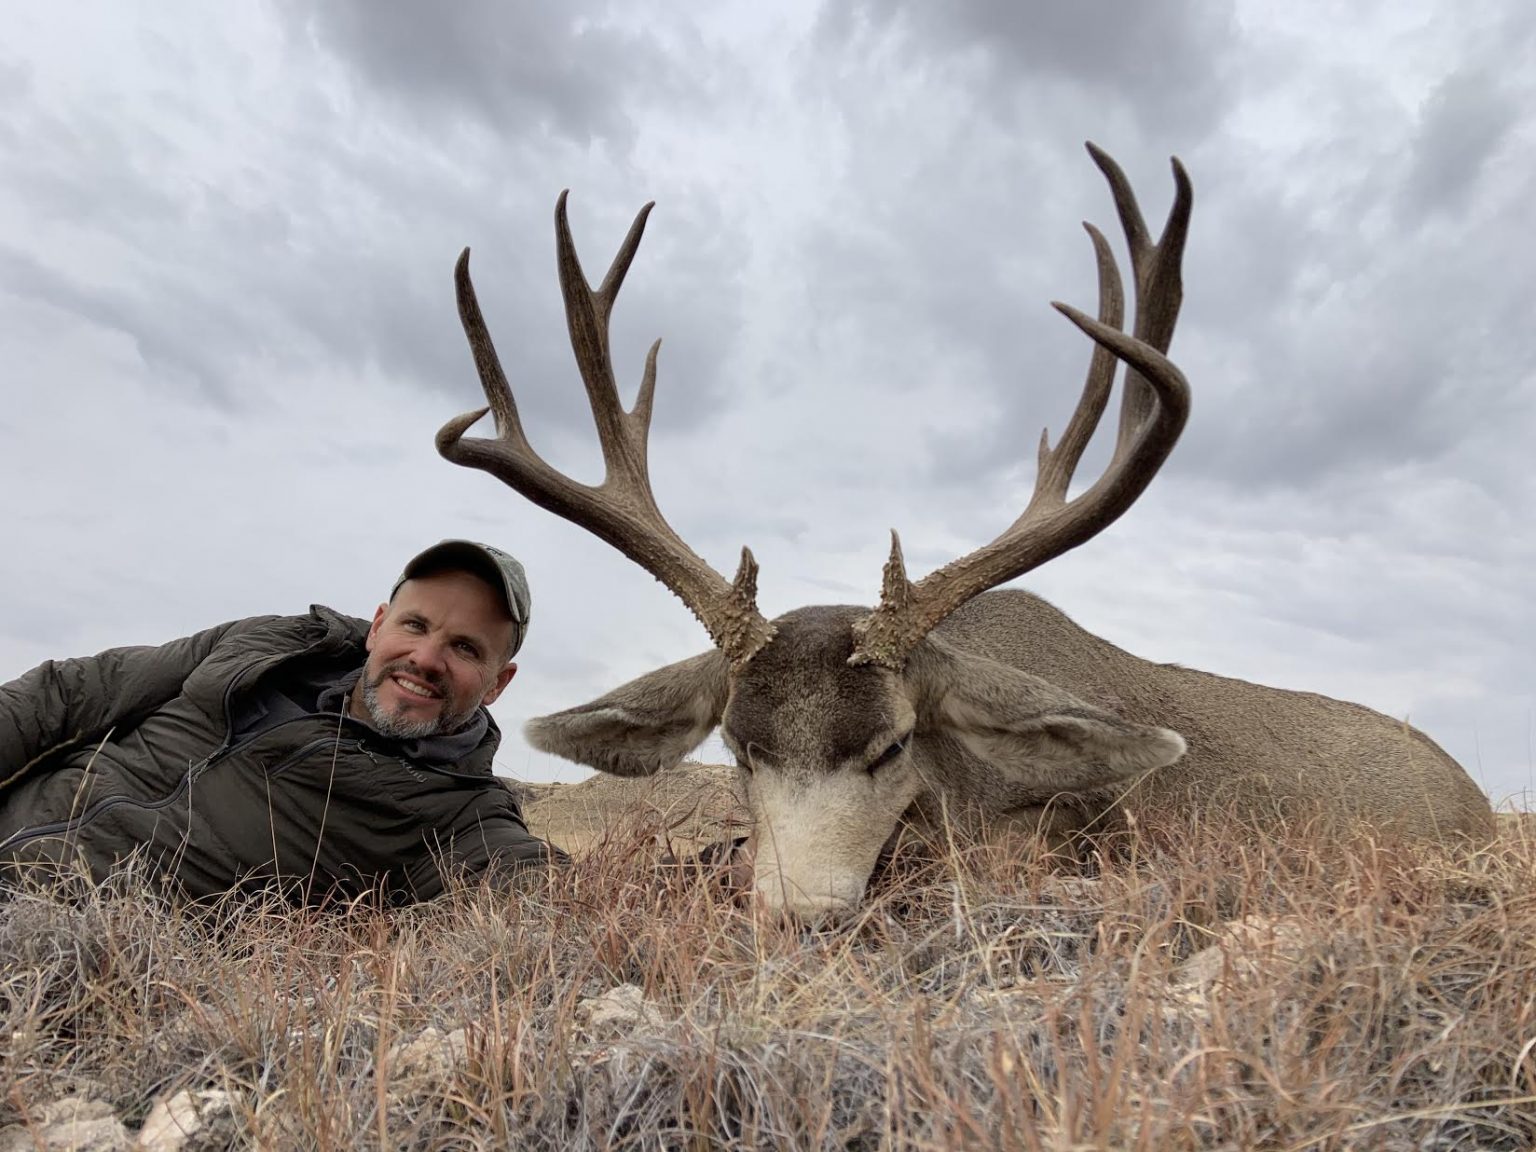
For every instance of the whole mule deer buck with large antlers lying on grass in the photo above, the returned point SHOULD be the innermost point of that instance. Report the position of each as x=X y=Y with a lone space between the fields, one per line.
x=952 y=695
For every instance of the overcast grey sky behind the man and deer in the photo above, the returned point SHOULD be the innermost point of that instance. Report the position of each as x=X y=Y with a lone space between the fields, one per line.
x=230 y=336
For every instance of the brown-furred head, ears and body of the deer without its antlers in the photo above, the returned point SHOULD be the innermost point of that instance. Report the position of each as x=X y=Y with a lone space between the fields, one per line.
x=1010 y=709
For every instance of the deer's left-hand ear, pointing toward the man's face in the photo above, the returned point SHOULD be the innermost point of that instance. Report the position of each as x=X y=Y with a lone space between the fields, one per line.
x=644 y=726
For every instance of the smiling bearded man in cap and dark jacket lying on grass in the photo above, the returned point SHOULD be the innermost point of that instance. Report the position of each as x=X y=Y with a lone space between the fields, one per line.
x=320 y=753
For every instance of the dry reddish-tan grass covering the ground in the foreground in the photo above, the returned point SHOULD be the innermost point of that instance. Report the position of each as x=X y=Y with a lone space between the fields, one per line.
x=981 y=1001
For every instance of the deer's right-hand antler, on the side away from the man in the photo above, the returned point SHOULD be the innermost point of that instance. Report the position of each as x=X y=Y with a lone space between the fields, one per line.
x=1153 y=414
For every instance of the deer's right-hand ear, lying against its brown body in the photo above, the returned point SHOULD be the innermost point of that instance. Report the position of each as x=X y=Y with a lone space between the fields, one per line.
x=1039 y=738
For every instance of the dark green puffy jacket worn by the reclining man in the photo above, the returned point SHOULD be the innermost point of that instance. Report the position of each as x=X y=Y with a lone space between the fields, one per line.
x=133 y=752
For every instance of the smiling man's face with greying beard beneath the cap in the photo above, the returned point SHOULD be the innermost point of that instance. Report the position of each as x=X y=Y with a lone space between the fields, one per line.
x=435 y=655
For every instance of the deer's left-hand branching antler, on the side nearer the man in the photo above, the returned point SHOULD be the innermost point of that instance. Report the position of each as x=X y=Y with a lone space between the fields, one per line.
x=623 y=509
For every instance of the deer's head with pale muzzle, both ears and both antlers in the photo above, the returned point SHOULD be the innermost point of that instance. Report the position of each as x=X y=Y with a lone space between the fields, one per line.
x=844 y=718
